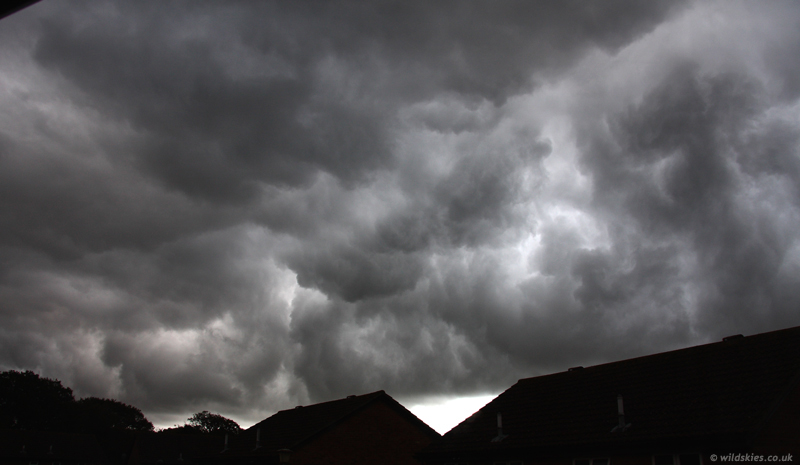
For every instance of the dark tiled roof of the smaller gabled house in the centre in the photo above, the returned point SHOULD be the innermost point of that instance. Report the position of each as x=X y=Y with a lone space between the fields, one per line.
x=289 y=429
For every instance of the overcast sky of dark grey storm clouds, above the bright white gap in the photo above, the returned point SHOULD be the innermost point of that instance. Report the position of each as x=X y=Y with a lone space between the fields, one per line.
x=245 y=206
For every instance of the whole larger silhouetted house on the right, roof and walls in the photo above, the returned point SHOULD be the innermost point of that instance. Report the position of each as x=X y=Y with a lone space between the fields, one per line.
x=740 y=395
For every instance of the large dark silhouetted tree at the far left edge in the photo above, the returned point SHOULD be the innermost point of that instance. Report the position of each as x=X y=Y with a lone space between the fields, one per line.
x=28 y=401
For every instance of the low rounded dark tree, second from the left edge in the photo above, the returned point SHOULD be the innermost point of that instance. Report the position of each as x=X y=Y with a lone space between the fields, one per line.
x=95 y=415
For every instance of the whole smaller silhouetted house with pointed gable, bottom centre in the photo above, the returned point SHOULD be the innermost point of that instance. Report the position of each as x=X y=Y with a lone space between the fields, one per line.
x=367 y=429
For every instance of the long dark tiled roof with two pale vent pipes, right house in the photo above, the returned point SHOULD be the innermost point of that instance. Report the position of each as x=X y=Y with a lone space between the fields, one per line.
x=714 y=392
